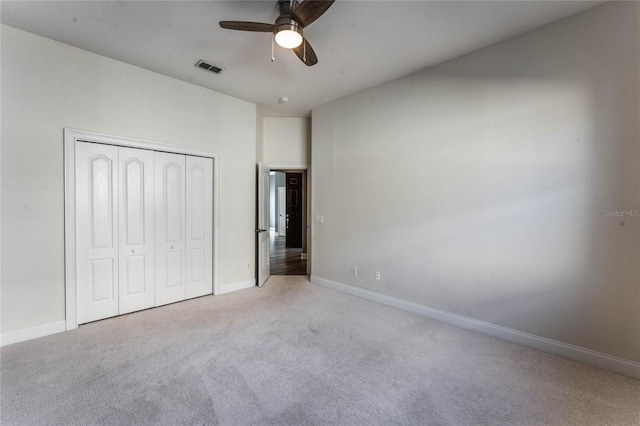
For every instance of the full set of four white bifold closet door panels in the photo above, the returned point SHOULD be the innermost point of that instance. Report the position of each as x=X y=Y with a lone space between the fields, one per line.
x=143 y=229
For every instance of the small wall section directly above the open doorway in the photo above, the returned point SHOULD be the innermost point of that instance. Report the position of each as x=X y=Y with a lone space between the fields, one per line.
x=286 y=141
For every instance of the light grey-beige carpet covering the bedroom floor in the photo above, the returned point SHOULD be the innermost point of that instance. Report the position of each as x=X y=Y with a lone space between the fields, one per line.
x=296 y=353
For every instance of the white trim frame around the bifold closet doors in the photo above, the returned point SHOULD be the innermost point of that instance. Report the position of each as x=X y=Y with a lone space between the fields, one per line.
x=71 y=137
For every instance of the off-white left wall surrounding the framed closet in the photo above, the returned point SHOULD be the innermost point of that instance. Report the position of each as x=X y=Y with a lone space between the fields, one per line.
x=47 y=86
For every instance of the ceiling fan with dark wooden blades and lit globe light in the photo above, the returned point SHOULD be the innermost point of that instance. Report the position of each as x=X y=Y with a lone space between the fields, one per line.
x=287 y=29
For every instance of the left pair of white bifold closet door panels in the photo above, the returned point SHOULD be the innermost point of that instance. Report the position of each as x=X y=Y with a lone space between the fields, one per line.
x=115 y=238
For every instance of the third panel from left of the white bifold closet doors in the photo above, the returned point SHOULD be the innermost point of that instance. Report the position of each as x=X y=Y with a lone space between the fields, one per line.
x=170 y=226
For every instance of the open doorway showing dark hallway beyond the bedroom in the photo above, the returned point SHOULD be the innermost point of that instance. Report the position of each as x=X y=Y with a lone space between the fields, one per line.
x=287 y=222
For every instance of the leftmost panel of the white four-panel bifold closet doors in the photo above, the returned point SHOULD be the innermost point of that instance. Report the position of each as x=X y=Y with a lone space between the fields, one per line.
x=96 y=231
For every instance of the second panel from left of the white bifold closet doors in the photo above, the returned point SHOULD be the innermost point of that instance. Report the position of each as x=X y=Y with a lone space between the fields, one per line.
x=137 y=246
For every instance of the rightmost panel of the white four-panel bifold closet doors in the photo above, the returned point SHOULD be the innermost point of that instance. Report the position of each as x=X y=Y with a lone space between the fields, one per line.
x=199 y=235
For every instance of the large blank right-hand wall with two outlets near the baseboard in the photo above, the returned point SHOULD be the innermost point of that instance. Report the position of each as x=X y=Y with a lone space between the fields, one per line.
x=479 y=187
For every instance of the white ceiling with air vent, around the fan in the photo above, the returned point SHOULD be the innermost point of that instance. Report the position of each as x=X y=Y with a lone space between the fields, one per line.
x=359 y=43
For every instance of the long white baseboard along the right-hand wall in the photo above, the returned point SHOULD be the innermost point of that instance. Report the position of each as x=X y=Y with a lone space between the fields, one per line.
x=565 y=350
